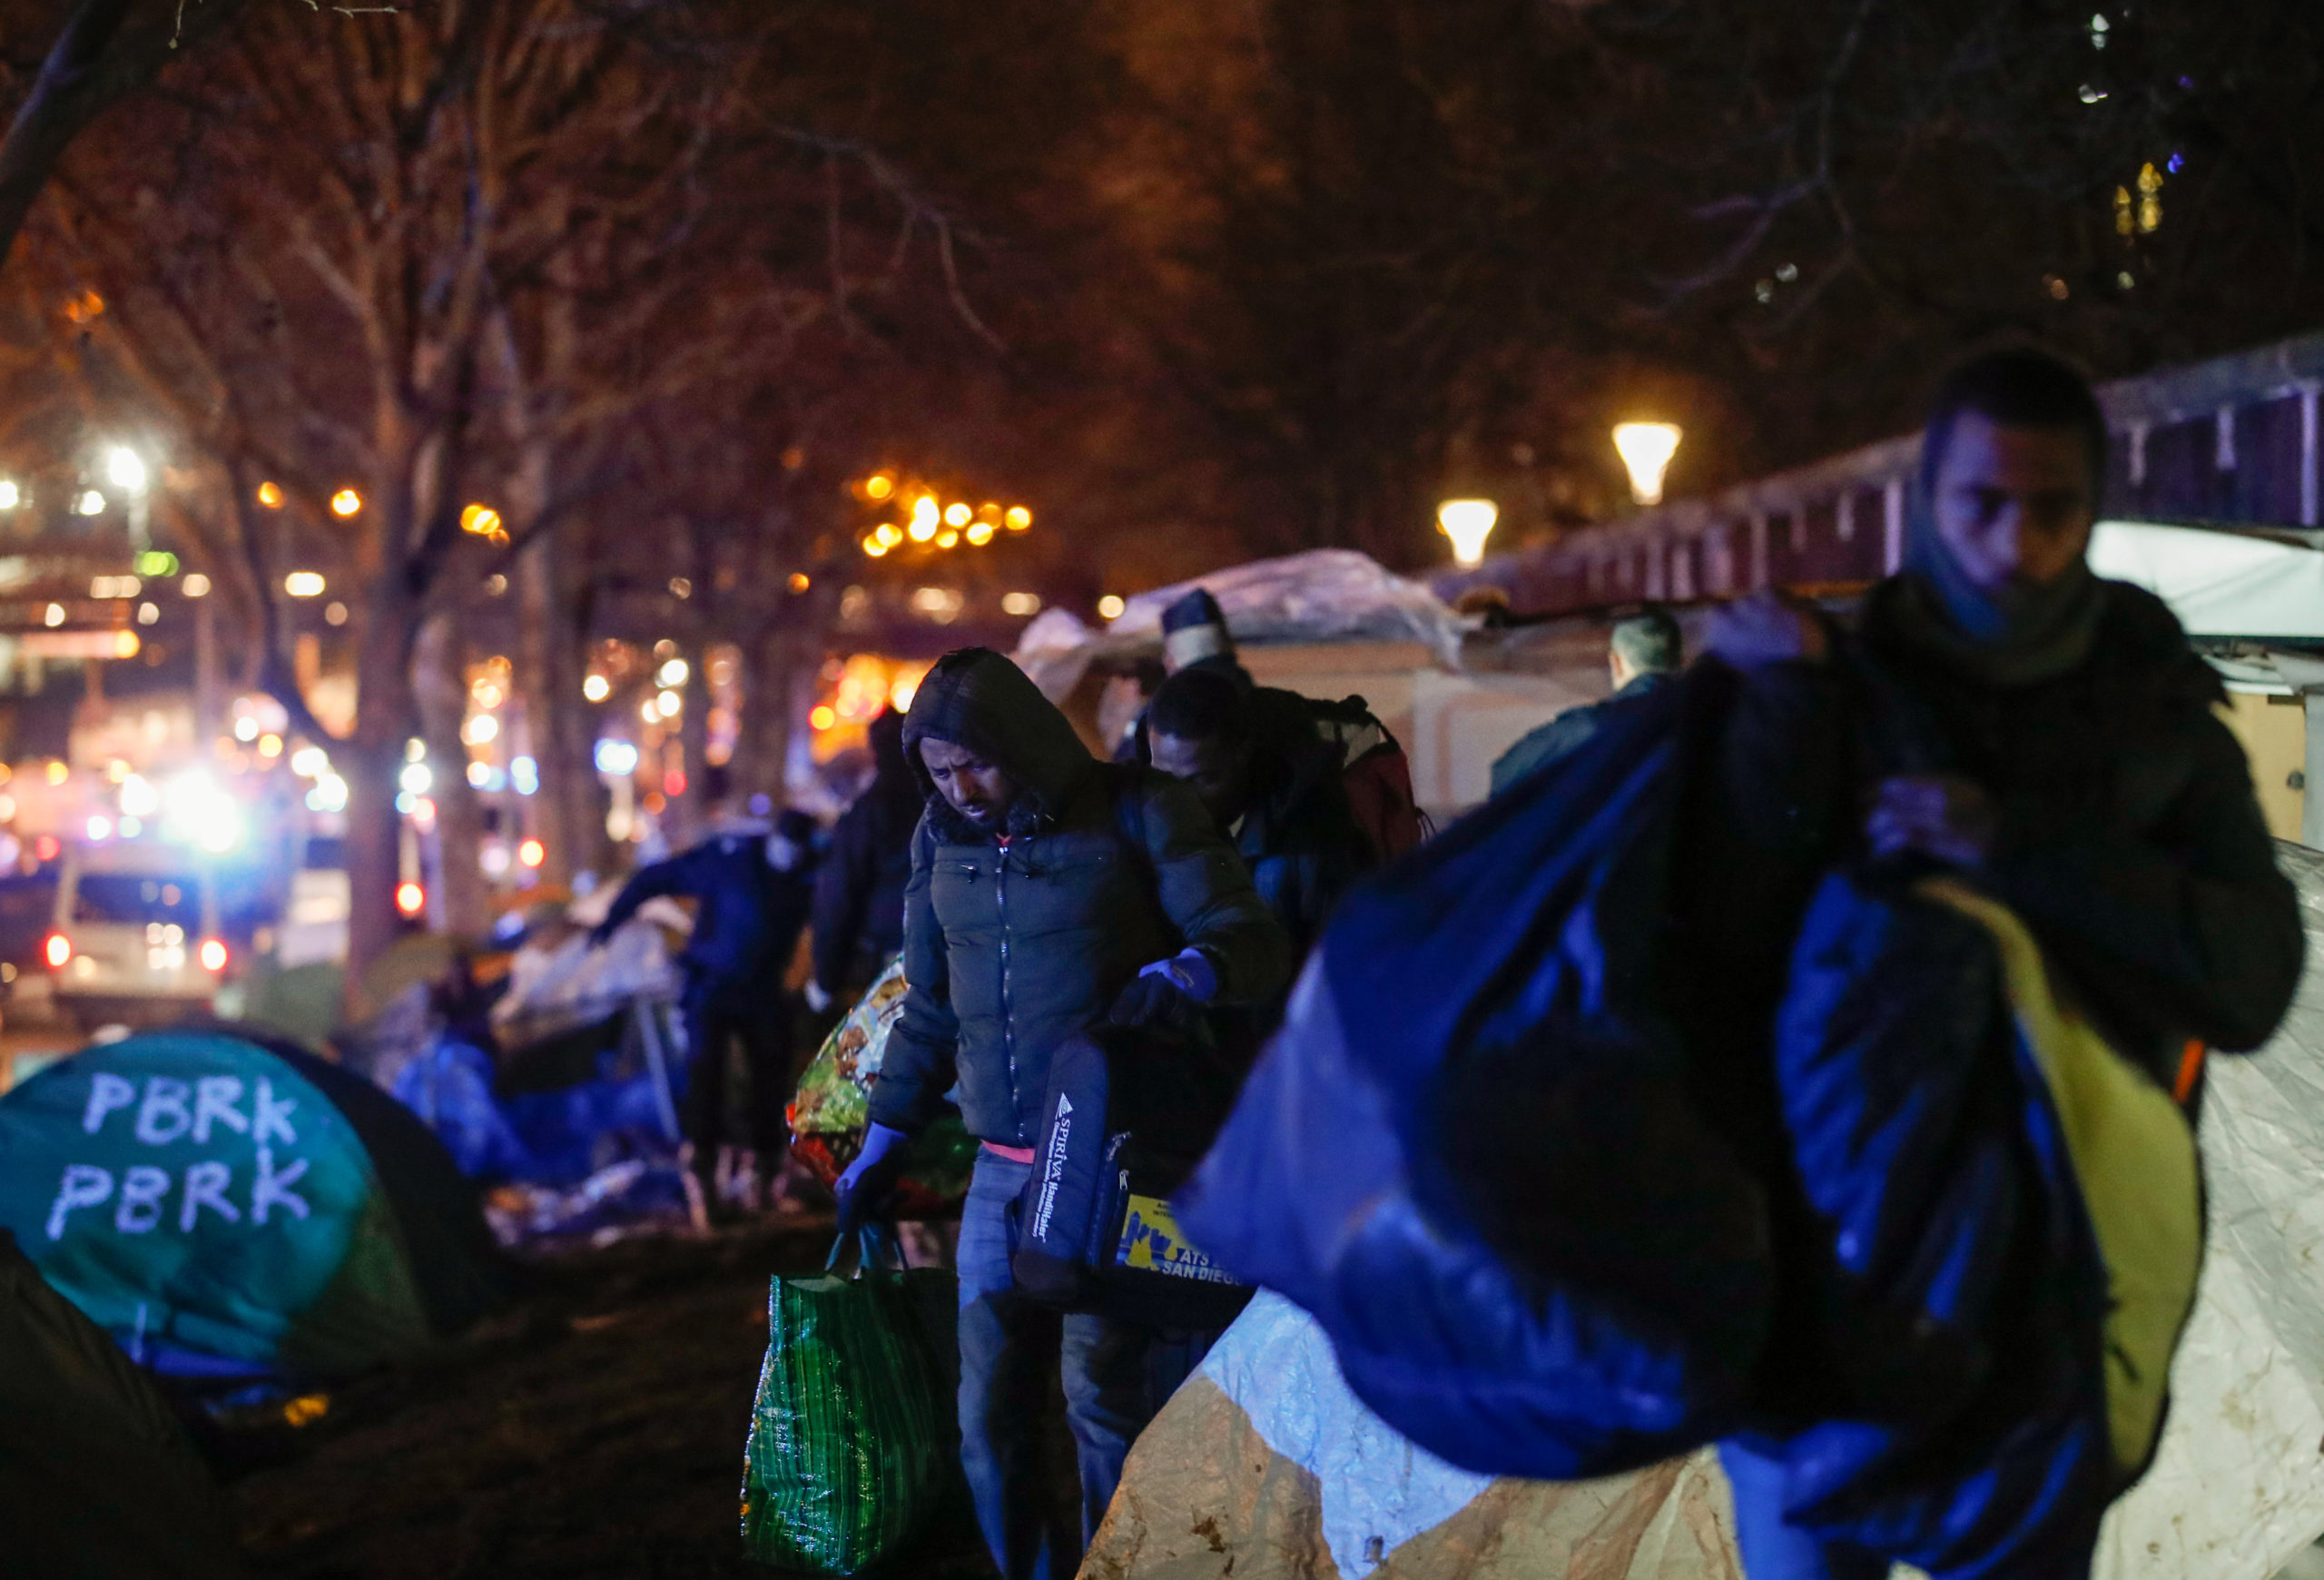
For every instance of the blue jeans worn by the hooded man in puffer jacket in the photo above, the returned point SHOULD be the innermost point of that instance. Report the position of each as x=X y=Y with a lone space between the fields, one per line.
x=1117 y=1377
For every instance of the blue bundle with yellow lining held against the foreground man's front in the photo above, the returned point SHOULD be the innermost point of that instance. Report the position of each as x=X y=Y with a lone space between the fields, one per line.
x=2014 y=1230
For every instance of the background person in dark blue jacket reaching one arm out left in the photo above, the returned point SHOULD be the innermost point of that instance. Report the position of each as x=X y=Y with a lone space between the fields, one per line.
x=752 y=886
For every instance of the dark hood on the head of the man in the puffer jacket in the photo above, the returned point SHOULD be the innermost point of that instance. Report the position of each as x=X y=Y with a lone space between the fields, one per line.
x=980 y=701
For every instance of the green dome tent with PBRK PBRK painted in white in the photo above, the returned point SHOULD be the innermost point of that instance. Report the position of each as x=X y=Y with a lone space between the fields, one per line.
x=231 y=1207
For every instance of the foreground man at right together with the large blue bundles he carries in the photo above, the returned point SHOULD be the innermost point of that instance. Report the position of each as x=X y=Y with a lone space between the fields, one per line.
x=1805 y=1065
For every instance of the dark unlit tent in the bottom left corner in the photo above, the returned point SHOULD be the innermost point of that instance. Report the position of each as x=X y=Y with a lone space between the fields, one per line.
x=96 y=1477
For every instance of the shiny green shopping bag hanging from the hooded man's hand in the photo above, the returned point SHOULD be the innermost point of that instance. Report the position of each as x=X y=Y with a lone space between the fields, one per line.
x=852 y=1439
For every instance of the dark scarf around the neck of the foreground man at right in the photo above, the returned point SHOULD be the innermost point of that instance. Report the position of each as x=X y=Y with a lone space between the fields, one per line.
x=2016 y=635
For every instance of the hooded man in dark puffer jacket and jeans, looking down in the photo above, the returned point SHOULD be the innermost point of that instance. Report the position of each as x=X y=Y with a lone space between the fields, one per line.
x=1049 y=896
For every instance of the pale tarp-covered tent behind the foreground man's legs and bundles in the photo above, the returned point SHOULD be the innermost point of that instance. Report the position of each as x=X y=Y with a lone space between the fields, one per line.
x=1265 y=1467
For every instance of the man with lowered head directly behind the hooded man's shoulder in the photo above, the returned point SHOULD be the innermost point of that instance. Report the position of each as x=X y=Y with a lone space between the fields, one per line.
x=1275 y=791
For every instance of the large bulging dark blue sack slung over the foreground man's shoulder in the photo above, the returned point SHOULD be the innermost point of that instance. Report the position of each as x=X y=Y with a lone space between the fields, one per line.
x=1472 y=1151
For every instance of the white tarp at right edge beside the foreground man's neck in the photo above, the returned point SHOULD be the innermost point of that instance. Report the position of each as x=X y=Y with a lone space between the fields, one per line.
x=2218 y=584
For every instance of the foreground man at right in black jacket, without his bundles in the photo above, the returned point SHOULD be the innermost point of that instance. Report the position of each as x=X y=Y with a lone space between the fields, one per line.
x=2081 y=770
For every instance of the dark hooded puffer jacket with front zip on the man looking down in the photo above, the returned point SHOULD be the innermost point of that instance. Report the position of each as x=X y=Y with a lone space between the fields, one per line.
x=1012 y=951
